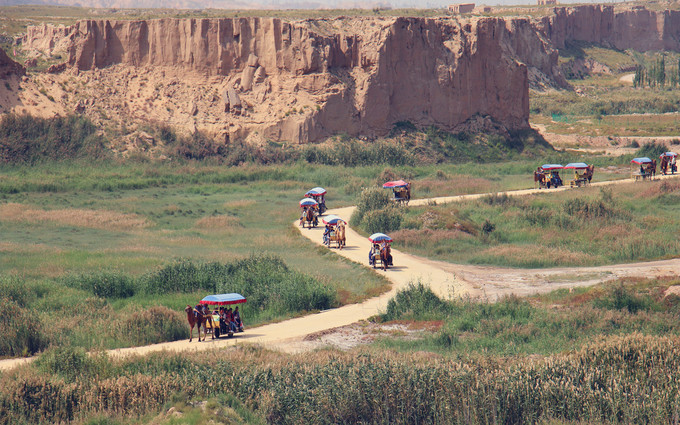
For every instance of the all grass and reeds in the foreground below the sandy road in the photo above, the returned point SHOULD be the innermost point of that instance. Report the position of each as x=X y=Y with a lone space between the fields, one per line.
x=607 y=354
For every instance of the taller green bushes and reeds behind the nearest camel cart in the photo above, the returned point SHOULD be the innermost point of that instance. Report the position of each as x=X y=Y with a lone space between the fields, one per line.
x=107 y=310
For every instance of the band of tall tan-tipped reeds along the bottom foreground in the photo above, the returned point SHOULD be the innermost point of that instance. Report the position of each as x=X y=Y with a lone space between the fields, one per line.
x=621 y=379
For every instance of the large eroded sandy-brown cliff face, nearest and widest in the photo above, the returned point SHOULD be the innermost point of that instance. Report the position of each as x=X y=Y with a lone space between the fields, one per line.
x=306 y=80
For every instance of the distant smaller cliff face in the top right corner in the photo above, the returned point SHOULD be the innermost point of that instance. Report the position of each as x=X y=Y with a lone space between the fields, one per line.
x=638 y=29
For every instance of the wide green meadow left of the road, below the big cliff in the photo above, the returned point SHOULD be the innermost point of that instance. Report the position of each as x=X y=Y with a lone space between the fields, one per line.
x=119 y=224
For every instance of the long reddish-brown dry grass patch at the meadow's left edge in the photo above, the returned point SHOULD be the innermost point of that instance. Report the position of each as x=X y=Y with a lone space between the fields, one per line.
x=96 y=219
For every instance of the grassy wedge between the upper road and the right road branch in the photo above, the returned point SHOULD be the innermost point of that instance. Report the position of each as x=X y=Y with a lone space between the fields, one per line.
x=580 y=227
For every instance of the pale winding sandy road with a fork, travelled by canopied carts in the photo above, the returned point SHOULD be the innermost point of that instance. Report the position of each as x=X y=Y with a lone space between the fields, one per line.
x=445 y=279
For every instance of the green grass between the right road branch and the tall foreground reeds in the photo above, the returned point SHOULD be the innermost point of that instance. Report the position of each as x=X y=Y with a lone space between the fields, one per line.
x=561 y=321
